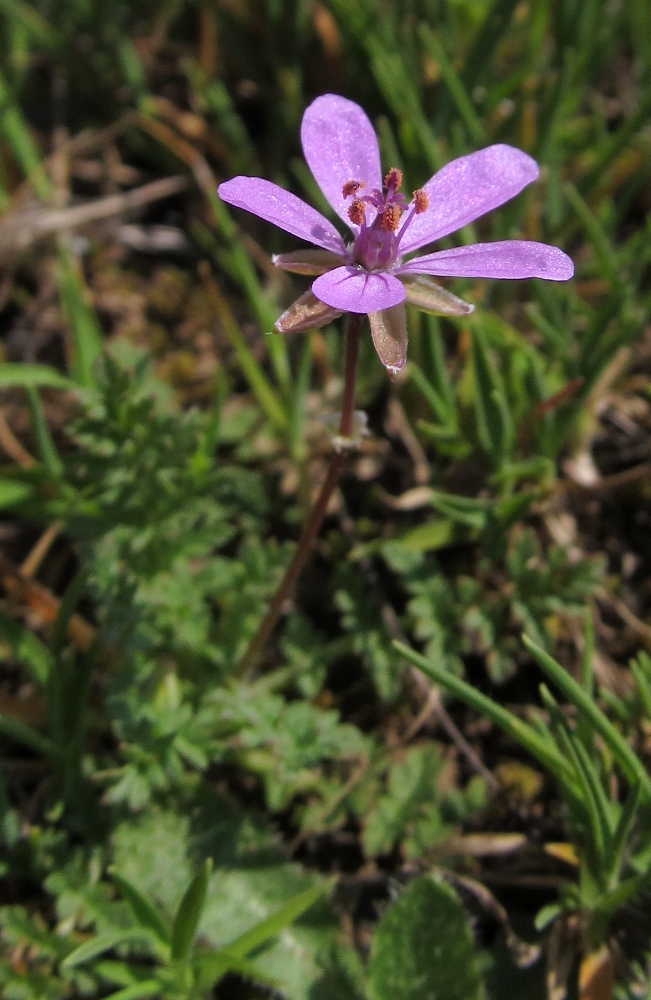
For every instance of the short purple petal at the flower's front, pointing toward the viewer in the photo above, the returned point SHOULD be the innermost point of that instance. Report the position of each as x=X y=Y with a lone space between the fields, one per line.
x=351 y=289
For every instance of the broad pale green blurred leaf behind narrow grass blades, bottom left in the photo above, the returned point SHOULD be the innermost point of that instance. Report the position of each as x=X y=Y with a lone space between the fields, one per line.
x=252 y=881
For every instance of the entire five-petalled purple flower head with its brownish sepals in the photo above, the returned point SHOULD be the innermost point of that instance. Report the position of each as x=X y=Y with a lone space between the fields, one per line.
x=371 y=274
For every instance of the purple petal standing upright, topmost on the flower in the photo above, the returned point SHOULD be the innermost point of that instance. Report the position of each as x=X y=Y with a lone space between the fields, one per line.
x=340 y=145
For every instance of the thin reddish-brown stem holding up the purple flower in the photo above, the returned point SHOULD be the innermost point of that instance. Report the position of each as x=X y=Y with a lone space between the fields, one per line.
x=315 y=520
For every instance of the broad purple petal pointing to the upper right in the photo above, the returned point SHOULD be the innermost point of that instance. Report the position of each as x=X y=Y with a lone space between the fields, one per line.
x=467 y=188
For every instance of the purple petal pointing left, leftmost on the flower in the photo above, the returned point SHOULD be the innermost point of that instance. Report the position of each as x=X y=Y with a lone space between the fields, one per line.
x=283 y=209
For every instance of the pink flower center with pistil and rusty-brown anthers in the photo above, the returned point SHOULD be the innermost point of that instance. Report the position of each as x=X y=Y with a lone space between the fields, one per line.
x=376 y=245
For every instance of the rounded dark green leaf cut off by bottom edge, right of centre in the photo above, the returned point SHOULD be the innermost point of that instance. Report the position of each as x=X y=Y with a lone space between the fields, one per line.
x=422 y=948
